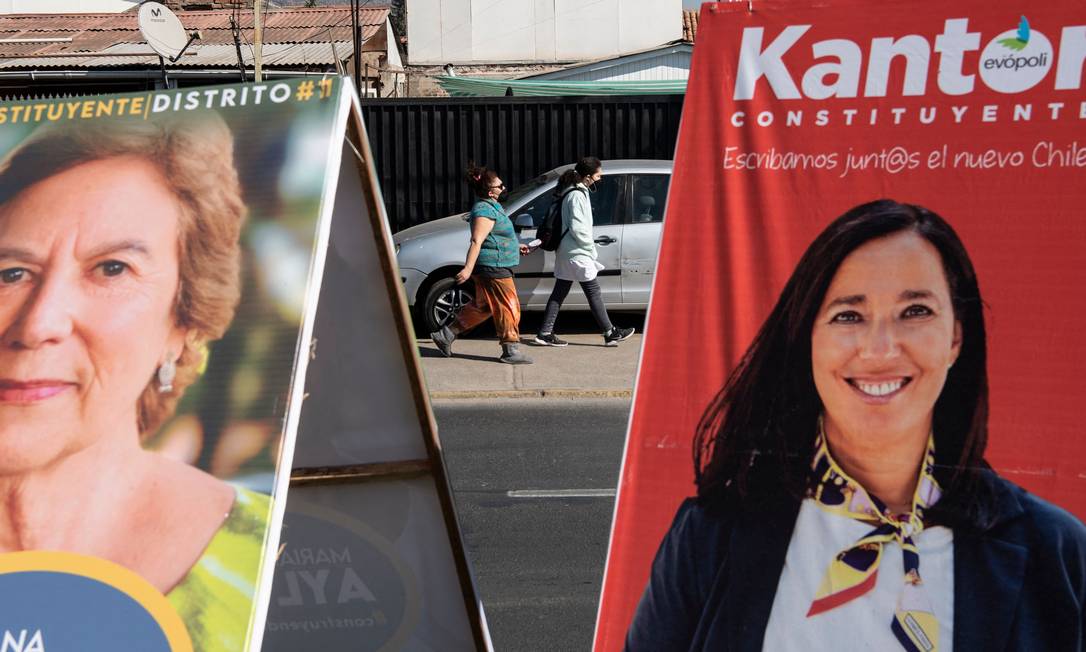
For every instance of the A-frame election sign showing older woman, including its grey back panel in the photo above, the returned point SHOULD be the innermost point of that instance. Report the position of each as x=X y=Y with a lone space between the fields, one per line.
x=176 y=269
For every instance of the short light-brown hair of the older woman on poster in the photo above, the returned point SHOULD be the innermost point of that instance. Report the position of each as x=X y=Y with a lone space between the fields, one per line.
x=195 y=155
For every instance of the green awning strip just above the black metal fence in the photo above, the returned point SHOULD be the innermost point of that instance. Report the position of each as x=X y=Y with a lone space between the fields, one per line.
x=462 y=87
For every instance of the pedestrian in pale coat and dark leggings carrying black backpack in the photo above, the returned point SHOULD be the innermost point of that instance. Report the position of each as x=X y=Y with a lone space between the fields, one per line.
x=576 y=258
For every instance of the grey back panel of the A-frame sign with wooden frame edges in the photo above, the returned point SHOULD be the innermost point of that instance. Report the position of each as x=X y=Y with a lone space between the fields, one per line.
x=372 y=558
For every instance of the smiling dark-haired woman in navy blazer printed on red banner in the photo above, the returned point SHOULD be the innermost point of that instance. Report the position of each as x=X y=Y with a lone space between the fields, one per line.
x=843 y=499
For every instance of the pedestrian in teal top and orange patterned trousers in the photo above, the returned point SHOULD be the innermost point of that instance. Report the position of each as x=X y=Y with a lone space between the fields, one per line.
x=494 y=252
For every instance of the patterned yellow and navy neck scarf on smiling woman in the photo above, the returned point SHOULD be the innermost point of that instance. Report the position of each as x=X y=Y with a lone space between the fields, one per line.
x=854 y=571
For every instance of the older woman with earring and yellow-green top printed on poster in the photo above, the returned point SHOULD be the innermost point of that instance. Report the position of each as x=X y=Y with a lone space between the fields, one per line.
x=119 y=262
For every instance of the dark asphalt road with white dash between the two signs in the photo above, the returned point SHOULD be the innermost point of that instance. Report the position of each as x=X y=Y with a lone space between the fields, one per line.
x=538 y=561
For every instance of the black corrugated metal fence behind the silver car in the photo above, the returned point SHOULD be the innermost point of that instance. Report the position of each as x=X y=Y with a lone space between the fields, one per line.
x=422 y=146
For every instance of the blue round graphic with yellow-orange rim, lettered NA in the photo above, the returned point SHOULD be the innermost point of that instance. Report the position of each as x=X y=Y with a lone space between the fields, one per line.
x=62 y=603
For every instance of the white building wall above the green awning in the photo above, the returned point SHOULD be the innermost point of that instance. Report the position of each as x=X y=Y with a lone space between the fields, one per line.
x=540 y=31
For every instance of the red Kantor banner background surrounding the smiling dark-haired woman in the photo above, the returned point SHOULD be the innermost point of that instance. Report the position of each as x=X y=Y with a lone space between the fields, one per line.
x=795 y=115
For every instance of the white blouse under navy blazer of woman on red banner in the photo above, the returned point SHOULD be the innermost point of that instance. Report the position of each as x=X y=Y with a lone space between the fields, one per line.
x=864 y=623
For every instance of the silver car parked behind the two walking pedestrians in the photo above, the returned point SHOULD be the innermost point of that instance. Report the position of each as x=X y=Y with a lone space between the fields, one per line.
x=627 y=210
